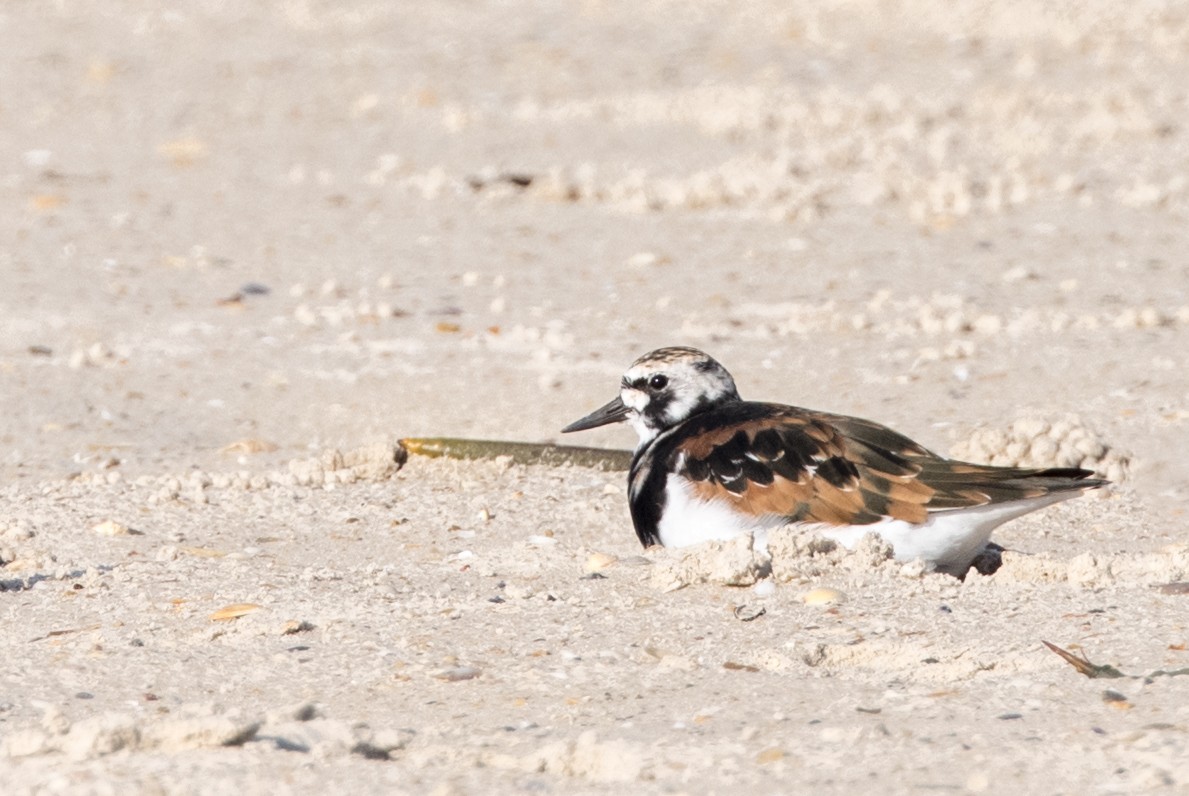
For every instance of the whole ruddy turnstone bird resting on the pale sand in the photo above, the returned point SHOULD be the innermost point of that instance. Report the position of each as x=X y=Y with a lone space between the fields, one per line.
x=712 y=466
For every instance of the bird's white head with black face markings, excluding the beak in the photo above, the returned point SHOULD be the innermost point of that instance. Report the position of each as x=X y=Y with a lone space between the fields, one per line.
x=668 y=386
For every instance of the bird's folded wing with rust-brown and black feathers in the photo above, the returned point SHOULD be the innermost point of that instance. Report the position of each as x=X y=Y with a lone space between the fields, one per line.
x=836 y=471
